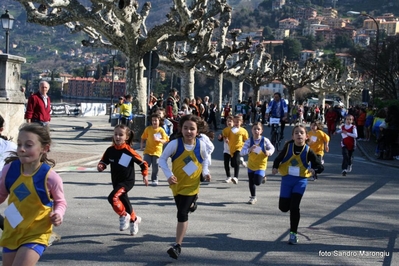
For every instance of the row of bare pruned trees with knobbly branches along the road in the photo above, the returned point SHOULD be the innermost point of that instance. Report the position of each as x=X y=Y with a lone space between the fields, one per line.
x=185 y=43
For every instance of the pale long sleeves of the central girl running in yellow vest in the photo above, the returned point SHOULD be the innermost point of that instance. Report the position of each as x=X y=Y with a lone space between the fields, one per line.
x=170 y=150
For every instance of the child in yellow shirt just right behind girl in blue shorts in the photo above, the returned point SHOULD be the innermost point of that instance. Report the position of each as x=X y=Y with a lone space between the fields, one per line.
x=318 y=141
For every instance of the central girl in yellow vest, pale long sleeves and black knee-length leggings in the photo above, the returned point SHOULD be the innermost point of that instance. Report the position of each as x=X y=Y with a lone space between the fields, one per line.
x=189 y=160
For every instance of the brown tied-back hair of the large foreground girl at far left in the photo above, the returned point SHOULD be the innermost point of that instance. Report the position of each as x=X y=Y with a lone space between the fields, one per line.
x=43 y=134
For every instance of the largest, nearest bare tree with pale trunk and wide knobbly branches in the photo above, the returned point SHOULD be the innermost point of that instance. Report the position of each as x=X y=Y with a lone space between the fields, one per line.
x=119 y=24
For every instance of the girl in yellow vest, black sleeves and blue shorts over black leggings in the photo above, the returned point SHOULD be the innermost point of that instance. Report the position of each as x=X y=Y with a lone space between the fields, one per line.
x=296 y=163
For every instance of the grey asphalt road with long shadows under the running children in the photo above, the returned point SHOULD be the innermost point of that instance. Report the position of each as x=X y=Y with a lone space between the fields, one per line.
x=348 y=220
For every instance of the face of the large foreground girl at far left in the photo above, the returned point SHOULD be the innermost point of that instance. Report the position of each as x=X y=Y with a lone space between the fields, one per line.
x=29 y=148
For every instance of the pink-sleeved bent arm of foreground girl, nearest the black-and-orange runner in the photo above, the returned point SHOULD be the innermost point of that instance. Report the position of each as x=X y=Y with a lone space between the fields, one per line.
x=56 y=190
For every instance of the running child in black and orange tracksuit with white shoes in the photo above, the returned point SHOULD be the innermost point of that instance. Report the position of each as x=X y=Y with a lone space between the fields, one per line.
x=122 y=157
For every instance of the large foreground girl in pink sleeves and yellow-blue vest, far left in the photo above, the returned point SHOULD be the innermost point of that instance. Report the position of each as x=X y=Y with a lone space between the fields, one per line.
x=36 y=199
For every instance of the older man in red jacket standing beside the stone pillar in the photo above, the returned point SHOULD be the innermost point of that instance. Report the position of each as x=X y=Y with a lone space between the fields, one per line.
x=38 y=108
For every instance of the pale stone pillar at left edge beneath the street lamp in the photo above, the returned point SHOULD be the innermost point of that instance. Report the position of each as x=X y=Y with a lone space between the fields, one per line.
x=12 y=99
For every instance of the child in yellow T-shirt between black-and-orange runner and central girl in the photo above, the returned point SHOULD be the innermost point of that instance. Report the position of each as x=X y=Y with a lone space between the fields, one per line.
x=154 y=137
